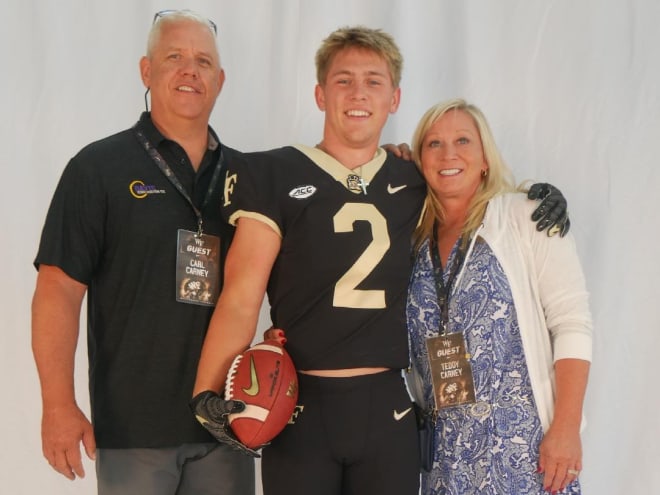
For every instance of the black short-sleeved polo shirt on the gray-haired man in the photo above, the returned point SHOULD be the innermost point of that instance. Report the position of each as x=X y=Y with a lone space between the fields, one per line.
x=143 y=345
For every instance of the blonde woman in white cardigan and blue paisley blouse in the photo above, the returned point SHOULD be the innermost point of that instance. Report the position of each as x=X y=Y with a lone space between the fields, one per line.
x=502 y=311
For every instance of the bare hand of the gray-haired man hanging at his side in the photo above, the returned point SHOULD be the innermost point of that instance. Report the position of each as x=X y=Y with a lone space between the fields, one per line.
x=62 y=431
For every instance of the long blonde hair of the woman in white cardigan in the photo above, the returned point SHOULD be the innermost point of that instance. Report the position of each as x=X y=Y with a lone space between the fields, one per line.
x=499 y=178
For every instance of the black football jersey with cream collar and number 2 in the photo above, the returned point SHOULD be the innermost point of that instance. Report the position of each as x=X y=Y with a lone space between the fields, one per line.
x=338 y=286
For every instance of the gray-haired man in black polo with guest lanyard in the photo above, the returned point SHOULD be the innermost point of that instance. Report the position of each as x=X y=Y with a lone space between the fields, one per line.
x=135 y=224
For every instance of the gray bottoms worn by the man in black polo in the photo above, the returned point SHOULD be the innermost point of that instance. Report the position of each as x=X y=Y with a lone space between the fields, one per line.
x=190 y=469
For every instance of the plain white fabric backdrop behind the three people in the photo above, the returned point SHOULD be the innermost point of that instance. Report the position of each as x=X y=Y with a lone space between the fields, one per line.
x=570 y=88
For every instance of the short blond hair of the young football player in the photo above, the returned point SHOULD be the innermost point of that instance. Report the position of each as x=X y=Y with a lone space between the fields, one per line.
x=374 y=40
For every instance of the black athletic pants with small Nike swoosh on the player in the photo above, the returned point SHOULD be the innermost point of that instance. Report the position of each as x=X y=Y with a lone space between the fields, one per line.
x=352 y=436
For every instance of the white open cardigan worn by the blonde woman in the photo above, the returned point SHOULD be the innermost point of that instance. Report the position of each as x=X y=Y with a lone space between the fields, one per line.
x=548 y=289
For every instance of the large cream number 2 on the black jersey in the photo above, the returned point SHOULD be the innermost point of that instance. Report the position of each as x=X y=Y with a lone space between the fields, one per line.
x=346 y=295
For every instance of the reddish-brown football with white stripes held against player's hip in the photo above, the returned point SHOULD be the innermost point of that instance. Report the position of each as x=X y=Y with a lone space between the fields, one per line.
x=263 y=377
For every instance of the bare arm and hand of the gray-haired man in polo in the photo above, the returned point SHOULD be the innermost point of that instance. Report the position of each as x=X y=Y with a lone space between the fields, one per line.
x=55 y=323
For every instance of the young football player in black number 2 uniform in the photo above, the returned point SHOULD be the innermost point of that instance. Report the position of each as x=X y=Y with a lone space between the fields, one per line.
x=327 y=232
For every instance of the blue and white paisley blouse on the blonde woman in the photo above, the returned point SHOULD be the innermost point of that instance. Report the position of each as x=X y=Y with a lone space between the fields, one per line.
x=491 y=447
